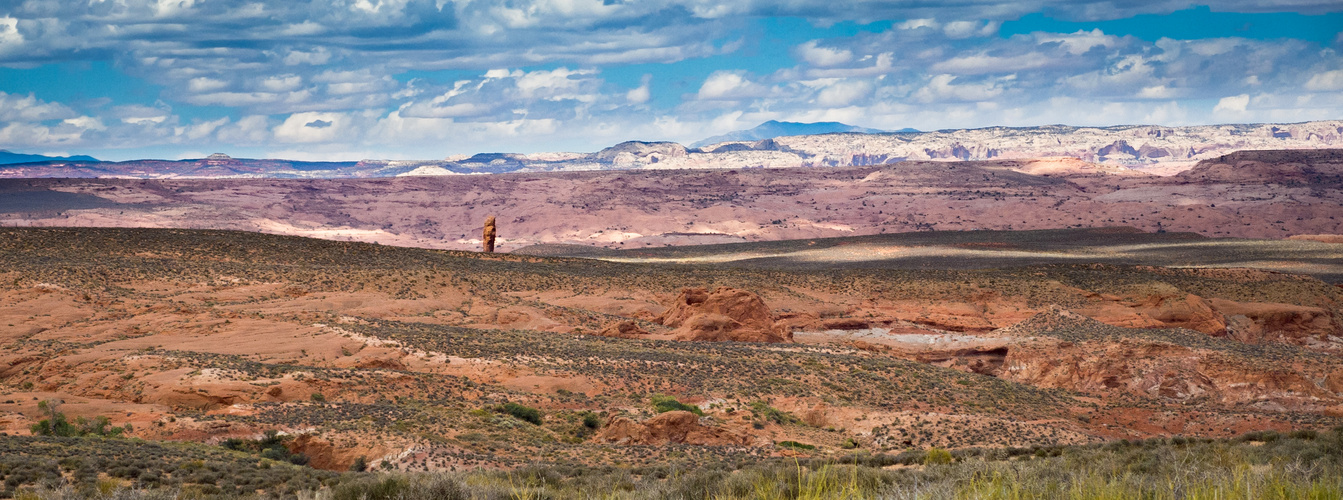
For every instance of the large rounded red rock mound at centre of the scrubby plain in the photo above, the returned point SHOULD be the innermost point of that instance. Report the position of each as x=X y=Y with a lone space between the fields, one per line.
x=723 y=315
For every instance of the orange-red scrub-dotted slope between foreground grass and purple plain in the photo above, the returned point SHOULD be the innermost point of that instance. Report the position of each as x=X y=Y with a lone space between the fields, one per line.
x=412 y=357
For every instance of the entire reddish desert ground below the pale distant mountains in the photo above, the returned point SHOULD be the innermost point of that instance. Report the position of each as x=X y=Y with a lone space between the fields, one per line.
x=886 y=334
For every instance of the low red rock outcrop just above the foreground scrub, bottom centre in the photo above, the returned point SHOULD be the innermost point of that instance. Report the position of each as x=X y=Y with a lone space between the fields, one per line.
x=669 y=428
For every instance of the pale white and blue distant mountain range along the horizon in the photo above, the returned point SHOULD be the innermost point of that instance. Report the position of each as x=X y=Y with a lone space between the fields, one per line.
x=1154 y=149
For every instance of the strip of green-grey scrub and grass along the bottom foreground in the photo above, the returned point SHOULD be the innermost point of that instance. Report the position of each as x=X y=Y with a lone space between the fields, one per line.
x=1263 y=466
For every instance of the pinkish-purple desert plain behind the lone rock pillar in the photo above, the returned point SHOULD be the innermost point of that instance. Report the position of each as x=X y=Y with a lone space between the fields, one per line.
x=655 y=209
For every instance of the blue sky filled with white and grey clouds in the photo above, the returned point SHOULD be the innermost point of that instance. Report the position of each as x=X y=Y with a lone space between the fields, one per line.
x=349 y=80
